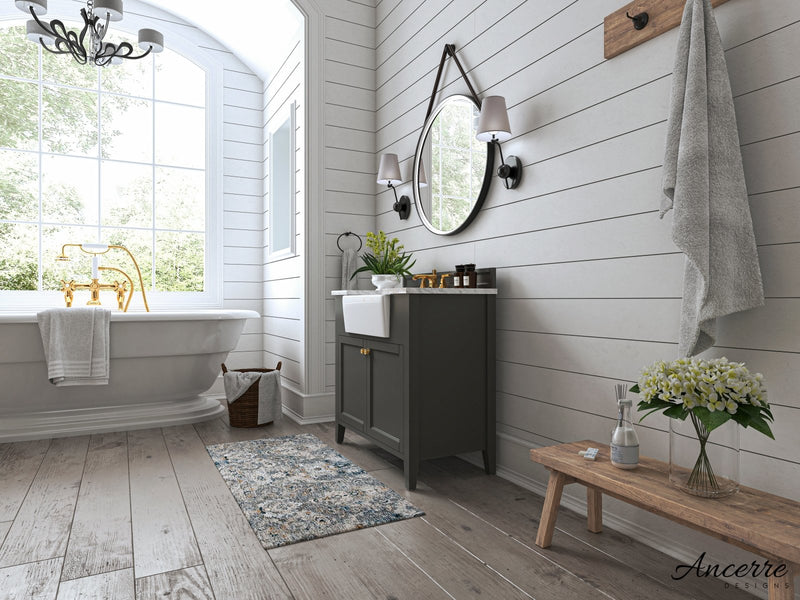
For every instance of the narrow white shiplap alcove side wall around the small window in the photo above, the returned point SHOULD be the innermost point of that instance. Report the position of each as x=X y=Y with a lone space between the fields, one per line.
x=284 y=314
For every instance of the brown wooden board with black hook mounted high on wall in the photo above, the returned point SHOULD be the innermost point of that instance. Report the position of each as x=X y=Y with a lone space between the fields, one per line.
x=619 y=34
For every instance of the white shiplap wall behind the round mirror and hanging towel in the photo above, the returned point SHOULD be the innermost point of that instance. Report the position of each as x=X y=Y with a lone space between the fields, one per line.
x=589 y=280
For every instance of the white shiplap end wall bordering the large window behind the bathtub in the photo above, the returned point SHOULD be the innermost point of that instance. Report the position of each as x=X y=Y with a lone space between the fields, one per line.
x=241 y=147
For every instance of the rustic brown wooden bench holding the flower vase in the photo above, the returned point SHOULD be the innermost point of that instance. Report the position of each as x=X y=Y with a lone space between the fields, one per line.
x=762 y=523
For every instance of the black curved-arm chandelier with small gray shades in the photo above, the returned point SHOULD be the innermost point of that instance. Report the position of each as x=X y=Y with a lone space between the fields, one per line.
x=57 y=39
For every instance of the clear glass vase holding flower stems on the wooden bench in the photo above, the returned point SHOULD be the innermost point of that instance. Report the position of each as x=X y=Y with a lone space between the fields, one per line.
x=704 y=463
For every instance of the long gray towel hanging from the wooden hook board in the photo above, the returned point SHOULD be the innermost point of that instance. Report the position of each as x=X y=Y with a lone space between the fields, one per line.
x=704 y=183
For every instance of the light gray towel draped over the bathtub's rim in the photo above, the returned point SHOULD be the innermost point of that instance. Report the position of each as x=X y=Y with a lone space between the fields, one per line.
x=76 y=345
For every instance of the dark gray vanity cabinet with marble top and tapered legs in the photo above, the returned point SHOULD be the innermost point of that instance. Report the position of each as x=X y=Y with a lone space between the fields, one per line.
x=427 y=390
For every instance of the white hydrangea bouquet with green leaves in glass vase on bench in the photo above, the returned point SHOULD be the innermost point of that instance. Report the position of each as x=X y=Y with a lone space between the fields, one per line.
x=702 y=397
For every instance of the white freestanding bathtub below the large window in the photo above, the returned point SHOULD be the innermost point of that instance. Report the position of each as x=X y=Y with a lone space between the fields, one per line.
x=160 y=364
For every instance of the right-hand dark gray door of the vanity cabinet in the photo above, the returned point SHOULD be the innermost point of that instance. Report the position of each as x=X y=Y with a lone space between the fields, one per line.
x=385 y=385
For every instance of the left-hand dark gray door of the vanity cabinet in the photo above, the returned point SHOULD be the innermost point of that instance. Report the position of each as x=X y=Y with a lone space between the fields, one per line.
x=352 y=381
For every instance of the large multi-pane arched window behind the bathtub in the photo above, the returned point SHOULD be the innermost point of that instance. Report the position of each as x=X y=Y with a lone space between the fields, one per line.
x=115 y=155
